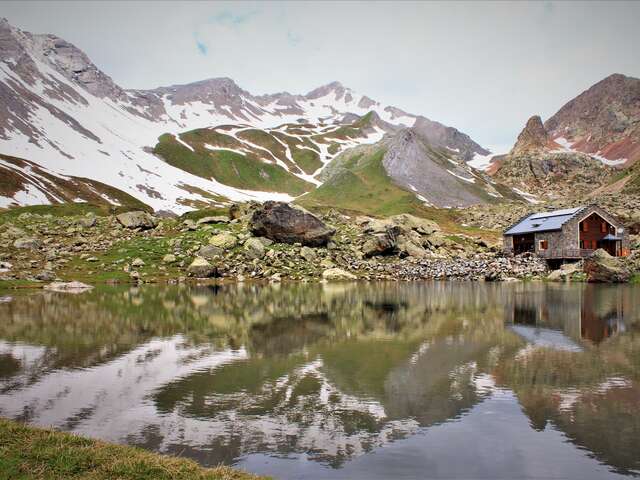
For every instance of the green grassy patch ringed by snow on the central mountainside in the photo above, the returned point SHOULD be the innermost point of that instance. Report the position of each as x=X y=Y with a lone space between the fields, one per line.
x=230 y=168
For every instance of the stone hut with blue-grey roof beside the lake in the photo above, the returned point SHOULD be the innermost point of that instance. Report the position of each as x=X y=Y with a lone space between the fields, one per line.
x=568 y=234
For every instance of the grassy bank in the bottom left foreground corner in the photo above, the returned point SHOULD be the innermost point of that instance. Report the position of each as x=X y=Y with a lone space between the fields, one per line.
x=35 y=453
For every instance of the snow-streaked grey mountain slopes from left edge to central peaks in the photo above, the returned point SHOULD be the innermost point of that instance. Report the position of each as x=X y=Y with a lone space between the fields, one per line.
x=59 y=111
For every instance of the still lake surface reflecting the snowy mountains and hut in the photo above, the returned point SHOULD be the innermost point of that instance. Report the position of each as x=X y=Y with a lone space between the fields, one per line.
x=416 y=380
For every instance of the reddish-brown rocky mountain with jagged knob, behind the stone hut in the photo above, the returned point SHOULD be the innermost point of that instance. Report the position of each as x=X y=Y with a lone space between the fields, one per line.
x=583 y=147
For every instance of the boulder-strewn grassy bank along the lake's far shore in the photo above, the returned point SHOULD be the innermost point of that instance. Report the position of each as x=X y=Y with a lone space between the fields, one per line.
x=46 y=244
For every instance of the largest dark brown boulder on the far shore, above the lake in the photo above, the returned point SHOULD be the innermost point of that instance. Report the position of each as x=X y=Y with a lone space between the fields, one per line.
x=282 y=223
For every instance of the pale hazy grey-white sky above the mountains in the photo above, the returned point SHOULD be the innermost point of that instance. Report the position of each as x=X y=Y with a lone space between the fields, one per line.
x=481 y=67
